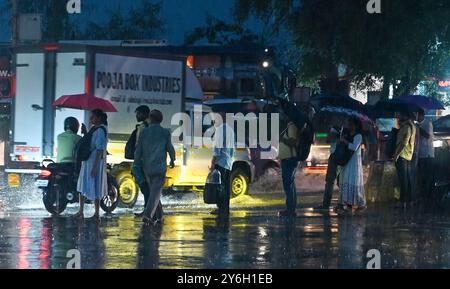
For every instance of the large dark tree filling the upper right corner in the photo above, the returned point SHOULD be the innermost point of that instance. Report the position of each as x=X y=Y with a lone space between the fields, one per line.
x=406 y=43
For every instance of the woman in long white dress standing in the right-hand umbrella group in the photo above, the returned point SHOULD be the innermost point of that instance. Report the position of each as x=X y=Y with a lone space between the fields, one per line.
x=351 y=183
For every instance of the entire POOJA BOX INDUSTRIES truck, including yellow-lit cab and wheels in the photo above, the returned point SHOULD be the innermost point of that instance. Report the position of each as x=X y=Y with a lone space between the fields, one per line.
x=127 y=75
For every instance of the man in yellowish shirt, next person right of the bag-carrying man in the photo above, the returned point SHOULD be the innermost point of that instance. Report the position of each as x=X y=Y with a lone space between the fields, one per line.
x=289 y=163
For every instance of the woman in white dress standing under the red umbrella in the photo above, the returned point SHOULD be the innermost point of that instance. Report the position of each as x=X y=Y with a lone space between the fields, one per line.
x=92 y=182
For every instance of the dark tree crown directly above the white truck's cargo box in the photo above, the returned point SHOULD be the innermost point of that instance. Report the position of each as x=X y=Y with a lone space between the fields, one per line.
x=142 y=21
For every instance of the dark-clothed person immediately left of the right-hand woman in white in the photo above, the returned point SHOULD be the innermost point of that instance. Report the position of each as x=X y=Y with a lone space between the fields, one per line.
x=332 y=172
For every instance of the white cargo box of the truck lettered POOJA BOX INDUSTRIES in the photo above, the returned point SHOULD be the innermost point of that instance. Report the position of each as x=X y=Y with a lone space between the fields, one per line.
x=127 y=77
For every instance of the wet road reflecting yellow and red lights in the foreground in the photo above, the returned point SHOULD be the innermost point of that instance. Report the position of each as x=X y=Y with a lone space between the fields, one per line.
x=253 y=237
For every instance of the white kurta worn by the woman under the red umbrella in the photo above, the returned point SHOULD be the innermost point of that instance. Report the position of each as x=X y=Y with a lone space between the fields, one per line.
x=94 y=188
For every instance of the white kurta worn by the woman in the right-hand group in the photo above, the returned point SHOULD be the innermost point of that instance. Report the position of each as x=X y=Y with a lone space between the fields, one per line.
x=351 y=183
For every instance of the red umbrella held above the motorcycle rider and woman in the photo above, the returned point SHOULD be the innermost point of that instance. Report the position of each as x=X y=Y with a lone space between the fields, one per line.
x=84 y=102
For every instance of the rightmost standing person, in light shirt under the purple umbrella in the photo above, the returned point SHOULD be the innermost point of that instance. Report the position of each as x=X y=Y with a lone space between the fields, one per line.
x=426 y=156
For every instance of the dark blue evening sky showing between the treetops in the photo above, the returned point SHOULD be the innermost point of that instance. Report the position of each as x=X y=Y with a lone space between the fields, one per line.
x=179 y=16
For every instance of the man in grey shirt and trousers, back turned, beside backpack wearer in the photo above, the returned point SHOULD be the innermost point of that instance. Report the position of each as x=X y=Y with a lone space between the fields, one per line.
x=154 y=144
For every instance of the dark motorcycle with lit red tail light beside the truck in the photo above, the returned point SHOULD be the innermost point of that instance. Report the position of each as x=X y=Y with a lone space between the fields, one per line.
x=58 y=183
